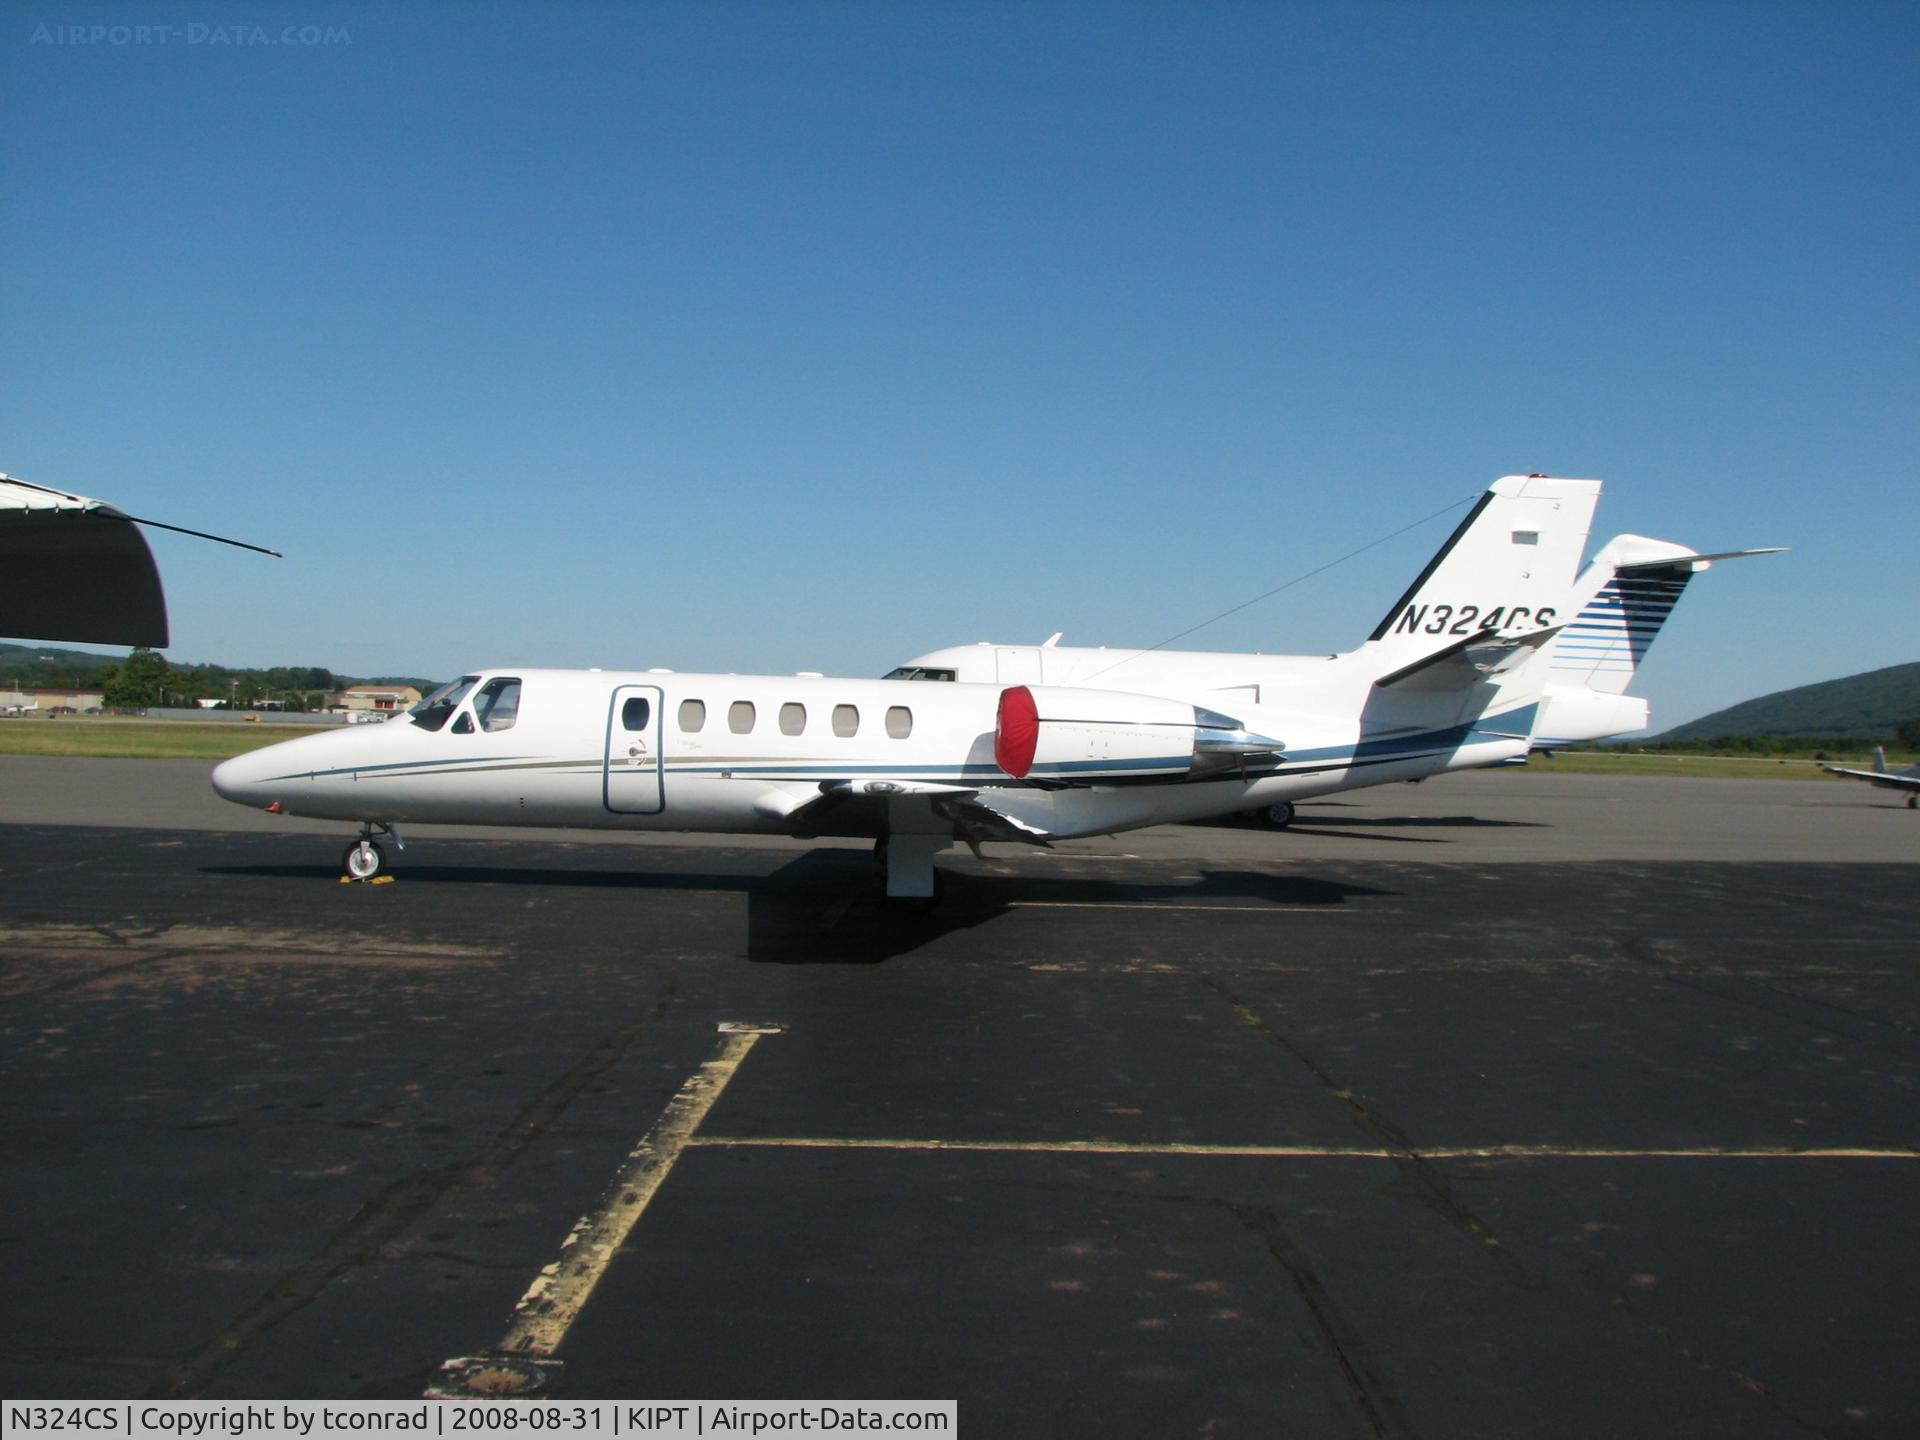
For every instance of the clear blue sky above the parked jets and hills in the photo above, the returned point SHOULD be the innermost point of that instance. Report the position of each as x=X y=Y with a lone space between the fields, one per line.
x=777 y=337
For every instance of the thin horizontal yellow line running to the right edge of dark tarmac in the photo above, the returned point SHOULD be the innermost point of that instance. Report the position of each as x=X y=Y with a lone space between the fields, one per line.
x=1307 y=1151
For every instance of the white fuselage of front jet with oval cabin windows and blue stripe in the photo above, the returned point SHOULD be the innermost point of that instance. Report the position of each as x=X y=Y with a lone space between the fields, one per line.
x=648 y=750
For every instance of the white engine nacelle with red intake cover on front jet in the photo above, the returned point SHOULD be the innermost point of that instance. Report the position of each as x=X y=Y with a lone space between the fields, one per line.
x=1088 y=736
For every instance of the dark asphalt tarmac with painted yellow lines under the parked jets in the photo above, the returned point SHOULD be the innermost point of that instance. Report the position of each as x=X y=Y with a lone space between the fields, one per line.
x=1508 y=1105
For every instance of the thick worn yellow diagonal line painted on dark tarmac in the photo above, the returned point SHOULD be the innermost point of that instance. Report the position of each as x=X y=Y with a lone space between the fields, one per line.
x=554 y=1301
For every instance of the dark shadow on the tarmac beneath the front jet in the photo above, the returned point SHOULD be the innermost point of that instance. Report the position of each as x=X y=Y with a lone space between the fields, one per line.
x=827 y=907
